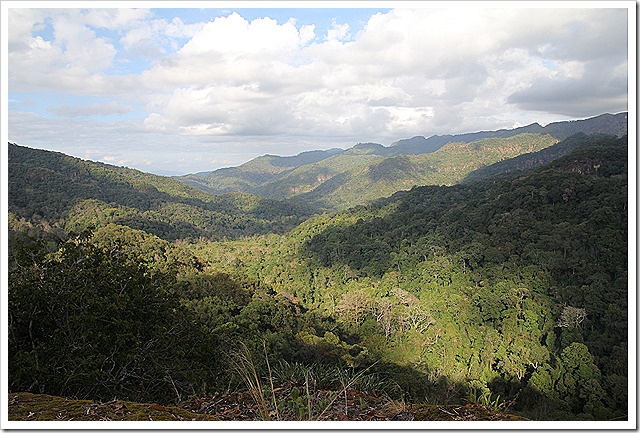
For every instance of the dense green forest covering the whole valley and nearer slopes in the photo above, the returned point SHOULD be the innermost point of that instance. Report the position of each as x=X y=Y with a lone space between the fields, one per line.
x=508 y=290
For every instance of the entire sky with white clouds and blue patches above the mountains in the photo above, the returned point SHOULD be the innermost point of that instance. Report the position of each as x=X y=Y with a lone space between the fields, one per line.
x=174 y=91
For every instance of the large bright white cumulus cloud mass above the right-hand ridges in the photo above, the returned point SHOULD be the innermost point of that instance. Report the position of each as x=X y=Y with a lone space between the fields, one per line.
x=428 y=61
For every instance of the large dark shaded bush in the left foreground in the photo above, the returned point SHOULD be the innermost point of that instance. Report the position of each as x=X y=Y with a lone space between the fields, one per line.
x=91 y=321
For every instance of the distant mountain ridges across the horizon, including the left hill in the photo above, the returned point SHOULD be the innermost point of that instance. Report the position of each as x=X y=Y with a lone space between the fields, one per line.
x=274 y=193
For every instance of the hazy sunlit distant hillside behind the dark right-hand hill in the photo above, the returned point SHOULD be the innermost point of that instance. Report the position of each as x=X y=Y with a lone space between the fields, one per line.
x=364 y=173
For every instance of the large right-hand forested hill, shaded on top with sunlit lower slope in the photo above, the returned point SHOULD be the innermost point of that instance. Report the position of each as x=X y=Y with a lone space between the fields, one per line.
x=515 y=286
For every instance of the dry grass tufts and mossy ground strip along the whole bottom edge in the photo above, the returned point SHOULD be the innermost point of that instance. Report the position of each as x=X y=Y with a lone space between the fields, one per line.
x=282 y=392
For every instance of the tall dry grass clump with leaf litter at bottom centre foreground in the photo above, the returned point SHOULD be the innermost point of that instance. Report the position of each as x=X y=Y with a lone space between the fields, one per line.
x=314 y=392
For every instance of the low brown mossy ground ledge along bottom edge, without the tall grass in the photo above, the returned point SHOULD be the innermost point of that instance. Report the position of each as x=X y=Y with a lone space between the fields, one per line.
x=356 y=406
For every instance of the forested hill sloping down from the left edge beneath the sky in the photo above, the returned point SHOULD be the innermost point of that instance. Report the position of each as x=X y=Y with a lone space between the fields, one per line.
x=73 y=195
